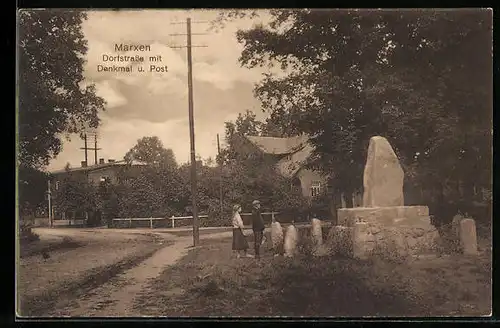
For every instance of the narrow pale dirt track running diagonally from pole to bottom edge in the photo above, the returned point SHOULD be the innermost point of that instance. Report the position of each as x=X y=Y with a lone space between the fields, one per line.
x=116 y=296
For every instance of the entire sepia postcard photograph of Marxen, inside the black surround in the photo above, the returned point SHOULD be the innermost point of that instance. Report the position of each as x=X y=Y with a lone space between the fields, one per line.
x=250 y=163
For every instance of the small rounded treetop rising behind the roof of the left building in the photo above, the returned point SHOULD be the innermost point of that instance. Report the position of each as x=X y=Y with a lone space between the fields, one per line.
x=150 y=150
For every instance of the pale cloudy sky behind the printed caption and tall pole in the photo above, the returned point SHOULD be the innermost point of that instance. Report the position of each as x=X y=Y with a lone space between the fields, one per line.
x=156 y=104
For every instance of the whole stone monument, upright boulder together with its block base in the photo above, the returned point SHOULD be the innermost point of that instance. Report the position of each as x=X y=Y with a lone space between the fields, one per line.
x=384 y=222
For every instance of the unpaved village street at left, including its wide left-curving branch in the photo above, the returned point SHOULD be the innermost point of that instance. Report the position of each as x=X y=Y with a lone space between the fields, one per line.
x=100 y=250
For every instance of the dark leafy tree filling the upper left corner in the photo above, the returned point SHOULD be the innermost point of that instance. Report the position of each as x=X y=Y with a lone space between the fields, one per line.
x=51 y=98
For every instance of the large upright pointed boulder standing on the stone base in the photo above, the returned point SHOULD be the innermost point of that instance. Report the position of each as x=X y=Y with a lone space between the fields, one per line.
x=383 y=176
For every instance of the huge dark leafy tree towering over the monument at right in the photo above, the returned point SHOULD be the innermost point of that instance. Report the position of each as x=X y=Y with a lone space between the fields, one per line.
x=420 y=78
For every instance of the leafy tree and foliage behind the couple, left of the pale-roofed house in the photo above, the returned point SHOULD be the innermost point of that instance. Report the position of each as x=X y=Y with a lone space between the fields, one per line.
x=248 y=178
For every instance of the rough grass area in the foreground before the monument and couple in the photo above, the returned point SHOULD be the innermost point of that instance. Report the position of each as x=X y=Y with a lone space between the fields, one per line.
x=209 y=282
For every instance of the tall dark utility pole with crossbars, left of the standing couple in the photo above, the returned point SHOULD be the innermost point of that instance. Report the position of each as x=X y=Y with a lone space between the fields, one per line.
x=194 y=188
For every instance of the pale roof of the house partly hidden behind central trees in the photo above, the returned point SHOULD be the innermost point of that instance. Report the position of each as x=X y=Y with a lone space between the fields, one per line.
x=279 y=146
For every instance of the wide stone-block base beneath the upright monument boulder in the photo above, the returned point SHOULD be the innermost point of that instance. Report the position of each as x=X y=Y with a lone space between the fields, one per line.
x=393 y=232
